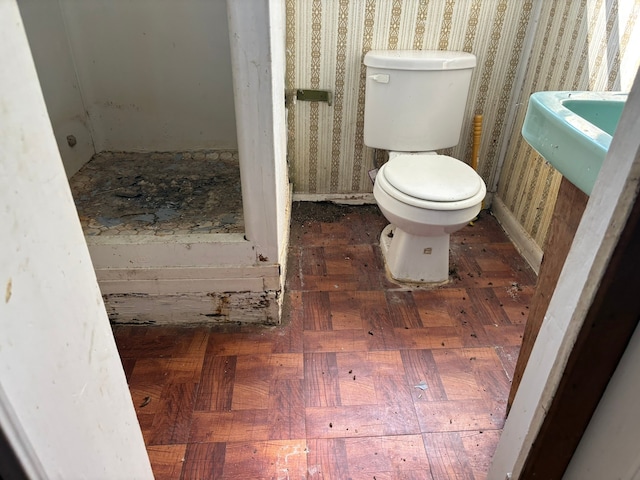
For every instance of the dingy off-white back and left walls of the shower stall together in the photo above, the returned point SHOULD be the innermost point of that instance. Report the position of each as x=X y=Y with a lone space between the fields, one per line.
x=133 y=76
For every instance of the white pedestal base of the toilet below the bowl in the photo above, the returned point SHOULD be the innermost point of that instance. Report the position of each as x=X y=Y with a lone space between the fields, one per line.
x=415 y=259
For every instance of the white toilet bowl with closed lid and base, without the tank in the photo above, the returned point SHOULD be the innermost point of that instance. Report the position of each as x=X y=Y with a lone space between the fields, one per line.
x=426 y=197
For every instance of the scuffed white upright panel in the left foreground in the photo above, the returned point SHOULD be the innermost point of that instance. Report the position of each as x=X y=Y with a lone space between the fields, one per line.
x=64 y=402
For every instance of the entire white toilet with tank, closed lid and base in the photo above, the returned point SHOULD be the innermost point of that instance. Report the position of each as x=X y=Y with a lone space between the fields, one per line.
x=414 y=104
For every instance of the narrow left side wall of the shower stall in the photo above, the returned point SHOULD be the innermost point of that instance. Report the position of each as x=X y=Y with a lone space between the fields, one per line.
x=50 y=49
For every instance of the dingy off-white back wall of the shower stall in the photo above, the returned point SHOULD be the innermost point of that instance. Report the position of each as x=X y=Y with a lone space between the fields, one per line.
x=155 y=75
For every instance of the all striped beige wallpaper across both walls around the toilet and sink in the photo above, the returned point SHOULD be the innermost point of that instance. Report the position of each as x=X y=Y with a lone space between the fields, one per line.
x=587 y=44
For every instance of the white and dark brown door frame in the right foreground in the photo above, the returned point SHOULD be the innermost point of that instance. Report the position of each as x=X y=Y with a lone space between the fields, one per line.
x=578 y=348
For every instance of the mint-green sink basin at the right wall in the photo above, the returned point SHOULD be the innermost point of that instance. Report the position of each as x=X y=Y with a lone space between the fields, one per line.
x=573 y=130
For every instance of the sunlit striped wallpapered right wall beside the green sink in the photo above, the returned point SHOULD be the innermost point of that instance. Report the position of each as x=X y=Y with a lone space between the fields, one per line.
x=586 y=45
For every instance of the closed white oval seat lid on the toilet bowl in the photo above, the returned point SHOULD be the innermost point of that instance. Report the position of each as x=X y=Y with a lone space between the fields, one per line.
x=435 y=178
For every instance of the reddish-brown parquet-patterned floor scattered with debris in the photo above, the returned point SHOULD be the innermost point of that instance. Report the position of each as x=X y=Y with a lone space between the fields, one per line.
x=366 y=379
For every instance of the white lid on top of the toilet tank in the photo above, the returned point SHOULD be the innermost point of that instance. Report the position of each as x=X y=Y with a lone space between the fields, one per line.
x=419 y=59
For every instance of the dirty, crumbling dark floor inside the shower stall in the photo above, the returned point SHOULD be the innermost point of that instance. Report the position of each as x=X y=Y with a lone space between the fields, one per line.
x=119 y=193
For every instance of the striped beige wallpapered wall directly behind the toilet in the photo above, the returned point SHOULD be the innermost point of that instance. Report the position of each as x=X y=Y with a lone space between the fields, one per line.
x=326 y=41
